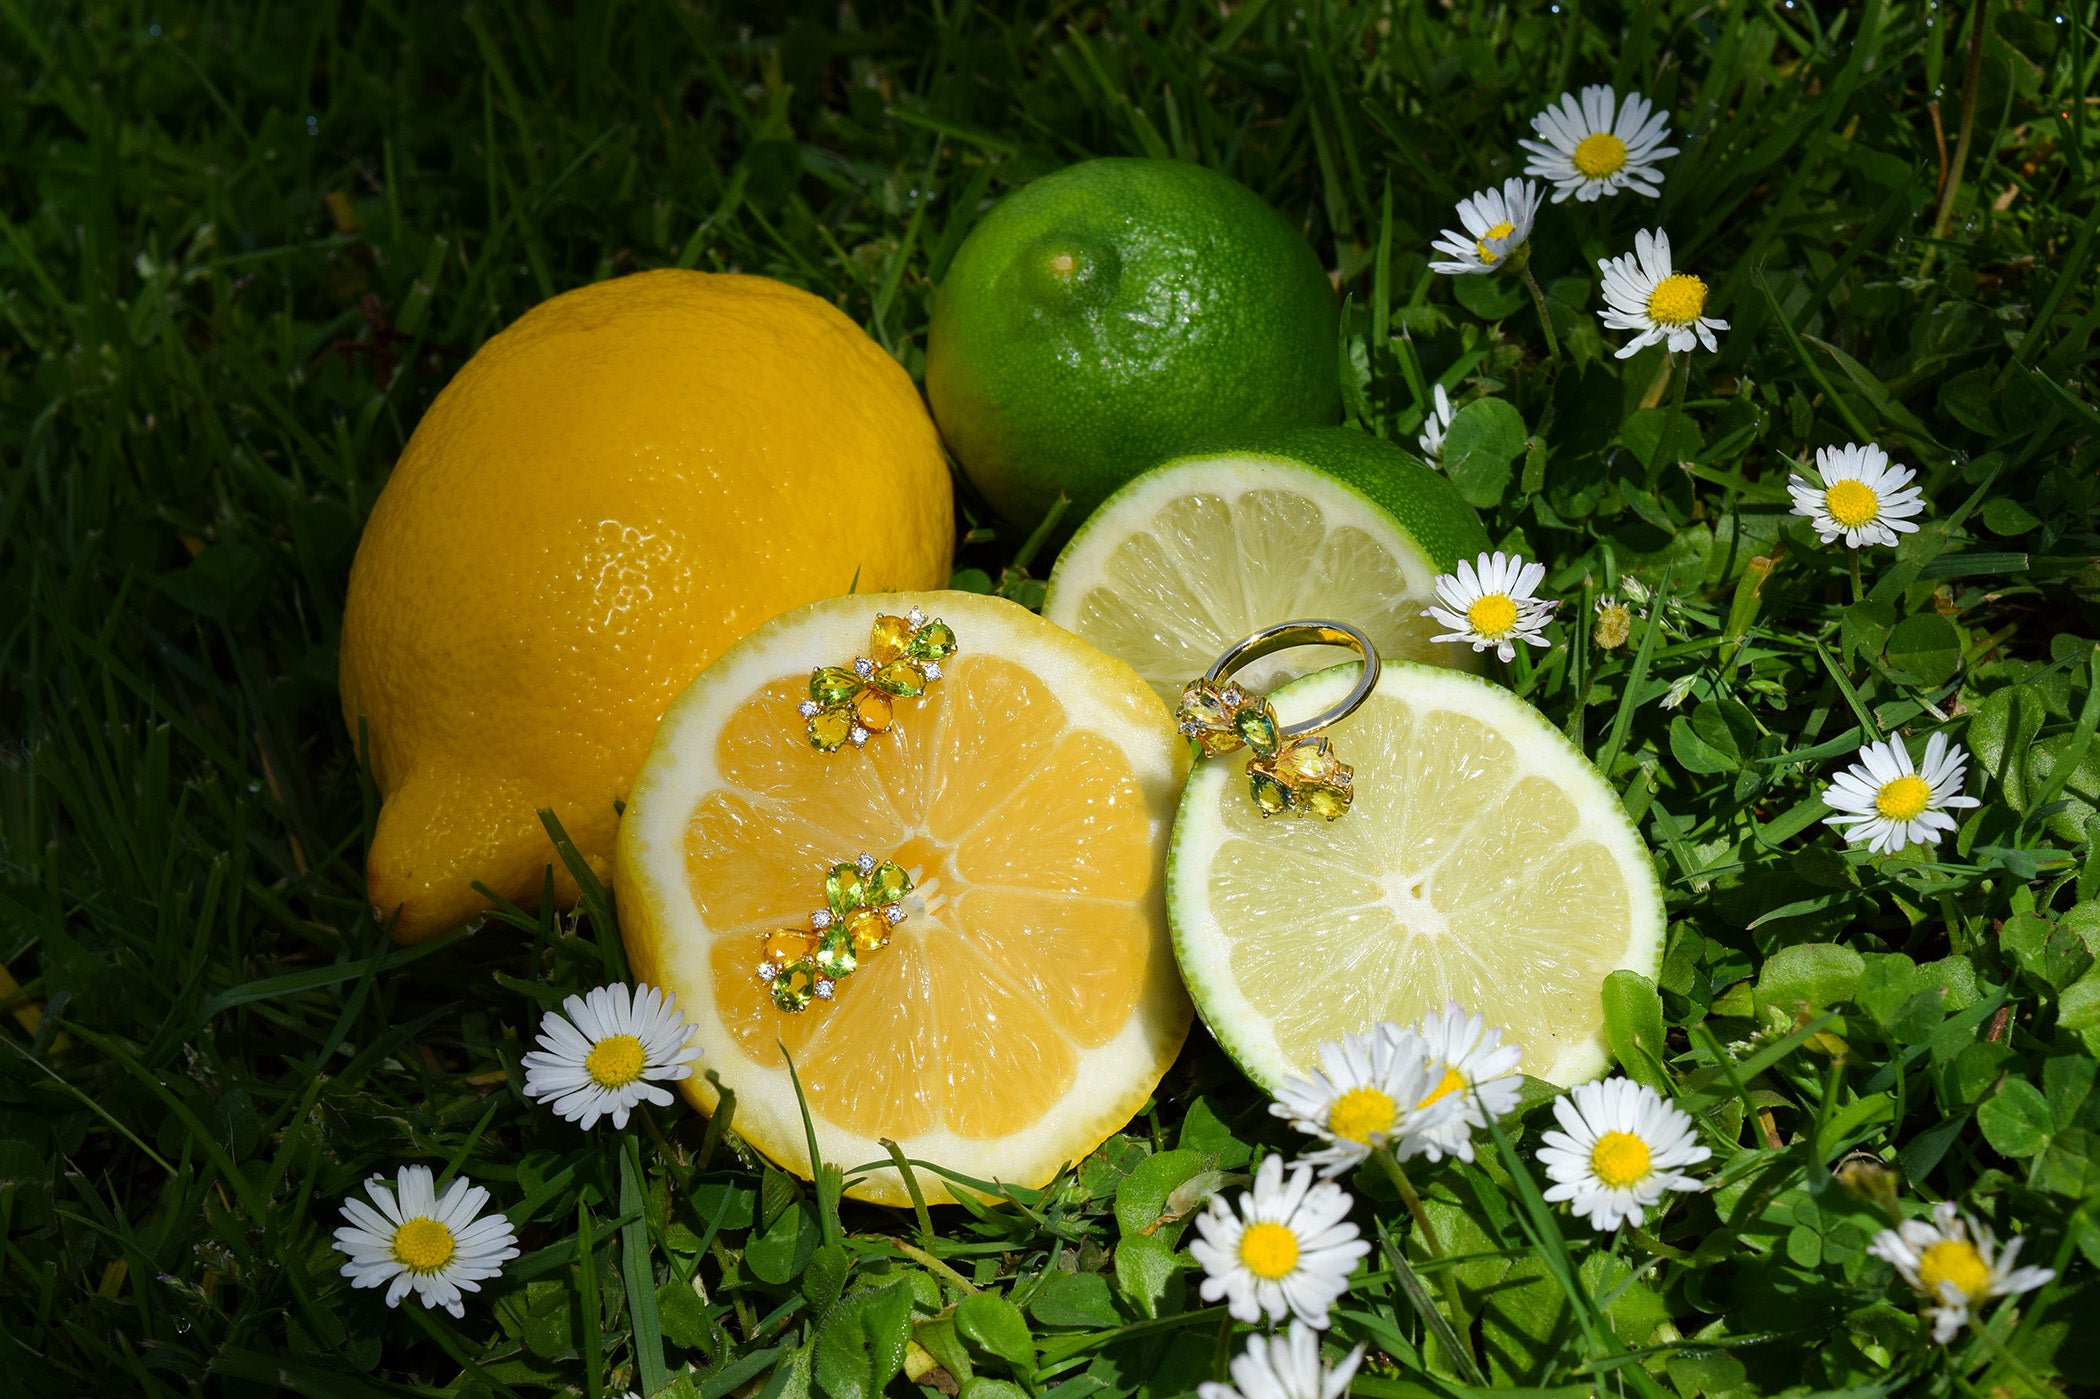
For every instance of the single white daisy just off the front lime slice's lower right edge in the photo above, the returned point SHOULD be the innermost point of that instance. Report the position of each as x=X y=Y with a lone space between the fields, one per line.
x=1618 y=1152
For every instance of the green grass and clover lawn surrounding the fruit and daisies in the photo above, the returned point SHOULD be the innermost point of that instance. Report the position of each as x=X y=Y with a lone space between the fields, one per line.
x=245 y=245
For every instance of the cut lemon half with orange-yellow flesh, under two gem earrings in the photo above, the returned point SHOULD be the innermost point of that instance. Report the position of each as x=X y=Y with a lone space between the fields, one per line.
x=1028 y=1003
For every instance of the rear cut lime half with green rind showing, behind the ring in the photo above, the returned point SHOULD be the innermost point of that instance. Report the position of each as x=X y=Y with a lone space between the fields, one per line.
x=1318 y=524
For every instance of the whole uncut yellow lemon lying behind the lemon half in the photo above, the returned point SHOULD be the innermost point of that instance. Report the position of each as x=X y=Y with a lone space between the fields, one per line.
x=612 y=493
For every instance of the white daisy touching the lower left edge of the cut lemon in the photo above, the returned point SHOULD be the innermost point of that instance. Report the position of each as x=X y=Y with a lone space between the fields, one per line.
x=600 y=1060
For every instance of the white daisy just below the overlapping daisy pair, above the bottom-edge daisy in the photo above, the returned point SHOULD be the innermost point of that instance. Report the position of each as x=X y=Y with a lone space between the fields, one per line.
x=1288 y=1253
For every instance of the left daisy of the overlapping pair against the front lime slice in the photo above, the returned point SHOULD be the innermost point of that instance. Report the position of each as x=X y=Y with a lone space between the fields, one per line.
x=1377 y=1091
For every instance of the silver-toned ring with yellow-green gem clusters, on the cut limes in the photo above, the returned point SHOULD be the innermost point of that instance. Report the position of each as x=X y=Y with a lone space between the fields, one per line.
x=1290 y=772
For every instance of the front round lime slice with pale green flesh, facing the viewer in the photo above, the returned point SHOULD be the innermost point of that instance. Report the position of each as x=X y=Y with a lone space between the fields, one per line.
x=1484 y=862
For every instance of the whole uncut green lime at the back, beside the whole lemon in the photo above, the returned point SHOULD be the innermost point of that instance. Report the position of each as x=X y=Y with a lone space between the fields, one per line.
x=1110 y=316
